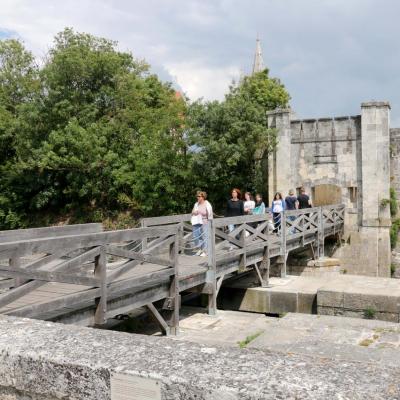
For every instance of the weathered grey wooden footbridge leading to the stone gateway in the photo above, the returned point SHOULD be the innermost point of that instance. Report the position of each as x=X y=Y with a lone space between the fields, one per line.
x=80 y=274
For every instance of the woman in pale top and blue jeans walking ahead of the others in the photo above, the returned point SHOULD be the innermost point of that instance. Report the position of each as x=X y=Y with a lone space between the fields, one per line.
x=202 y=212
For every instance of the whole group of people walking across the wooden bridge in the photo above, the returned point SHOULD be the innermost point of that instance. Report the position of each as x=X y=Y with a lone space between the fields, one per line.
x=202 y=211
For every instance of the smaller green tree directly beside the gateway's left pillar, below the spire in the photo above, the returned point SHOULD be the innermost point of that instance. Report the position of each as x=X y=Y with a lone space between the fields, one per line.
x=231 y=140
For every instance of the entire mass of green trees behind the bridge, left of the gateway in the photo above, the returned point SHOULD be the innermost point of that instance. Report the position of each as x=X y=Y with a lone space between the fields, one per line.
x=92 y=135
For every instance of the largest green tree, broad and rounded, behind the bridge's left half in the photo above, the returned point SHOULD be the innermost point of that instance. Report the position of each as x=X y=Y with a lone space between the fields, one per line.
x=88 y=138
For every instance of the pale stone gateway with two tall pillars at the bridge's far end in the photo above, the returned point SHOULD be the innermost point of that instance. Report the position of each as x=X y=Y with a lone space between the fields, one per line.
x=350 y=160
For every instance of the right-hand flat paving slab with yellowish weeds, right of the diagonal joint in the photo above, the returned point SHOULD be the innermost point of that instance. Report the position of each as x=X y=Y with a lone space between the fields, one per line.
x=333 y=337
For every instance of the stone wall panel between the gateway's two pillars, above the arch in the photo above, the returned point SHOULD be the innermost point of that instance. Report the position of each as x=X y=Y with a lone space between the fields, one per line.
x=325 y=151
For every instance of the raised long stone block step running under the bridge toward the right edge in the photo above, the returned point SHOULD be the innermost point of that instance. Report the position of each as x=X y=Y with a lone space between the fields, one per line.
x=347 y=295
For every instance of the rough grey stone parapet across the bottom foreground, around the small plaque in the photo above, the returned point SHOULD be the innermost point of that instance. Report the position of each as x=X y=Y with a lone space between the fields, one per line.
x=53 y=361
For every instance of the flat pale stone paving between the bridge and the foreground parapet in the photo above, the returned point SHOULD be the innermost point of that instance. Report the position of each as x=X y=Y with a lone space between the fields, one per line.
x=344 y=339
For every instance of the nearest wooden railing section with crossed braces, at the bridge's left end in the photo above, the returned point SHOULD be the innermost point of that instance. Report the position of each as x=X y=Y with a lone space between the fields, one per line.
x=82 y=260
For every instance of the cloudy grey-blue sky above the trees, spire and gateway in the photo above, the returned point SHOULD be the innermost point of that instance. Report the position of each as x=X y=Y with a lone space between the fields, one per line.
x=330 y=54
